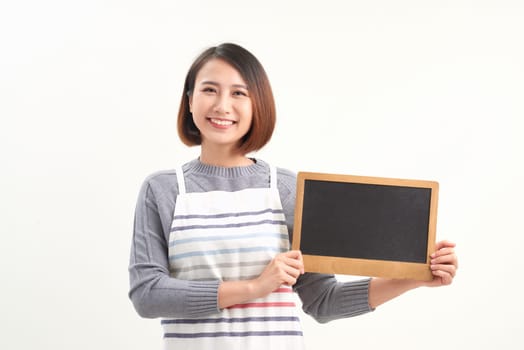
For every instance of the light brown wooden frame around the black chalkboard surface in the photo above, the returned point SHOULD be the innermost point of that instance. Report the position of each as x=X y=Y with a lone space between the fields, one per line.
x=359 y=266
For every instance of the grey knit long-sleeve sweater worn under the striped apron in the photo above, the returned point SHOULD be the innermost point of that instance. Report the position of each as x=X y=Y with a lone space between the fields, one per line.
x=155 y=294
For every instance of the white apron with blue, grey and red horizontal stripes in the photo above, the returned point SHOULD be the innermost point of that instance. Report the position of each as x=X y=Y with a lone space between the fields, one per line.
x=231 y=236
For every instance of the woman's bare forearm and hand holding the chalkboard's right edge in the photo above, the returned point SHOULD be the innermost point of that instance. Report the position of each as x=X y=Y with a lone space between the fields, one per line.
x=444 y=266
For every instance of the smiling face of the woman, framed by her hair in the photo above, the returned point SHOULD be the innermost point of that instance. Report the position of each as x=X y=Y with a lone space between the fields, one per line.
x=220 y=105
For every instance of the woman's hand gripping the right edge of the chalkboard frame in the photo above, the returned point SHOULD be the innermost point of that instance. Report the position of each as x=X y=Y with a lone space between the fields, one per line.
x=444 y=264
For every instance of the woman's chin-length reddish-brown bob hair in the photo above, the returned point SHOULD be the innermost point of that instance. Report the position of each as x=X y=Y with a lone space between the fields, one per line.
x=263 y=103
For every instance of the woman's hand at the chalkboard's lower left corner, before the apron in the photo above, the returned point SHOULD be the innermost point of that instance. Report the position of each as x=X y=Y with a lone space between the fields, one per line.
x=284 y=269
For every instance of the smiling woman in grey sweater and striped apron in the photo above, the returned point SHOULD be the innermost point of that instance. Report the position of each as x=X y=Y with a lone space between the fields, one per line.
x=210 y=252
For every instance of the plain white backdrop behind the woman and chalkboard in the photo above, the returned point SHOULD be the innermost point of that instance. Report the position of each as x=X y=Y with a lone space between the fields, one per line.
x=89 y=92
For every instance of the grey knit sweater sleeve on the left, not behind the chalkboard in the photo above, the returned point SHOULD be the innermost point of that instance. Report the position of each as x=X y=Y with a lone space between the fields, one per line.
x=153 y=292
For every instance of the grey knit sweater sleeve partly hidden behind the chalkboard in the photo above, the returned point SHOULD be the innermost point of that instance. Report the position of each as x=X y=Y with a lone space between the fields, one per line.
x=323 y=296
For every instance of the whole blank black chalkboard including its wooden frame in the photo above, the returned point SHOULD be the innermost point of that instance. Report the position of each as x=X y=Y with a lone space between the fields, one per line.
x=369 y=226
